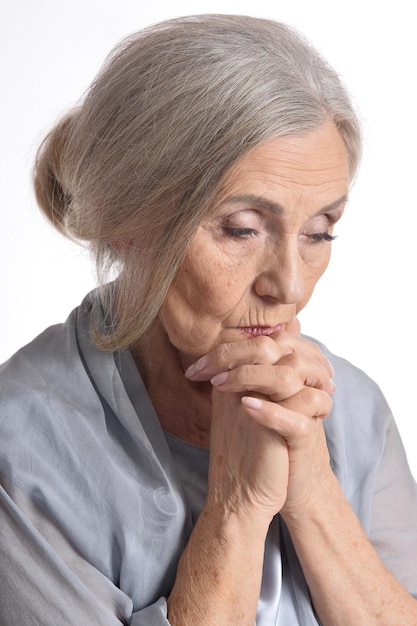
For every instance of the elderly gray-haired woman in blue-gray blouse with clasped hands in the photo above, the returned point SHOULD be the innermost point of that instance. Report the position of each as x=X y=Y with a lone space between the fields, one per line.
x=164 y=453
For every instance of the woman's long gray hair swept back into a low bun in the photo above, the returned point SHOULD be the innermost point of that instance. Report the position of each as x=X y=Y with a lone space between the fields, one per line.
x=135 y=167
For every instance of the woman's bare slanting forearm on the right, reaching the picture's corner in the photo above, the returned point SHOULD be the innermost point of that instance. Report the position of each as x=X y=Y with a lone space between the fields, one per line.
x=348 y=582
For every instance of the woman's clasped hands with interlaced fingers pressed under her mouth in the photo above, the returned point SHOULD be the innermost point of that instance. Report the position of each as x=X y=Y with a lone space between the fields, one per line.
x=268 y=451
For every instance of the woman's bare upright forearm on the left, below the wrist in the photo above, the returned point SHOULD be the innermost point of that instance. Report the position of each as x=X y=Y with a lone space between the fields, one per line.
x=219 y=574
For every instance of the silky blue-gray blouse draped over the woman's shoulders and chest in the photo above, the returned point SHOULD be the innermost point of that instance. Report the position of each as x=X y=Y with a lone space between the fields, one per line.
x=97 y=502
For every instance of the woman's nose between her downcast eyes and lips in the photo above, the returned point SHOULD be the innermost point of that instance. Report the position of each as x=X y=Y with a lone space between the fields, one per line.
x=282 y=277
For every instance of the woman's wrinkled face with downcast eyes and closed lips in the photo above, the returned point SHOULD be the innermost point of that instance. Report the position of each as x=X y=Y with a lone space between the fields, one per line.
x=259 y=252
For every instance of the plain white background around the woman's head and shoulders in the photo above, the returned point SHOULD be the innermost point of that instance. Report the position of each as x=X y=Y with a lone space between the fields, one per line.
x=364 y=307
